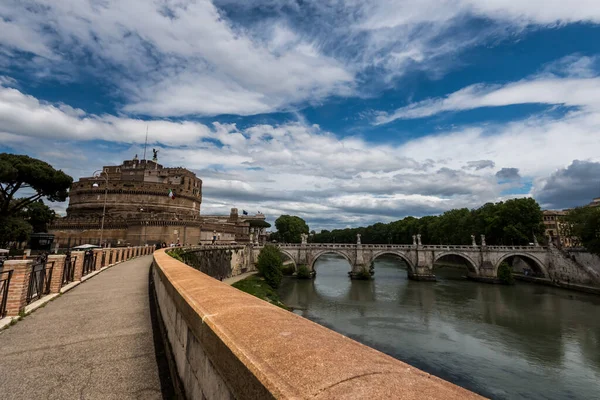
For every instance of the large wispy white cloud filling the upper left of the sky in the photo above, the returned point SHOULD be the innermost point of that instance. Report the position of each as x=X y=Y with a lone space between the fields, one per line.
x=177 y=58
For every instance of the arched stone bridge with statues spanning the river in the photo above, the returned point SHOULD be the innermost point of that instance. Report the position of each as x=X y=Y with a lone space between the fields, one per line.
x=482 y=261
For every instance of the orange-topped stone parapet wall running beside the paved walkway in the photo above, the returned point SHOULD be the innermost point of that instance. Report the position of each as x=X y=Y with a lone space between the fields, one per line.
x=229 y=344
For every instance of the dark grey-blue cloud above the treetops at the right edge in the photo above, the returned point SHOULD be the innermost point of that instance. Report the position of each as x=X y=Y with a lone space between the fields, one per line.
x=573 y=186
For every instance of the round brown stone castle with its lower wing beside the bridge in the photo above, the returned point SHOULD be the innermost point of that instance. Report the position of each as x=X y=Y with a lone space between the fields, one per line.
x=146 y=203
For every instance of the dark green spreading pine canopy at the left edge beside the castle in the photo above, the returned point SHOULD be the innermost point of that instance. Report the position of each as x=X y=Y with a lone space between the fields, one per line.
x=18 y=172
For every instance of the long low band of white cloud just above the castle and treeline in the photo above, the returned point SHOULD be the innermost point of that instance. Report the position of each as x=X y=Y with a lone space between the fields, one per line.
x=301 y=169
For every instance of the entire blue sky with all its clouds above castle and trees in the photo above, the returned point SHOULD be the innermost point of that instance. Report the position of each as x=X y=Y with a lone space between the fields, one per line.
x=342 y=112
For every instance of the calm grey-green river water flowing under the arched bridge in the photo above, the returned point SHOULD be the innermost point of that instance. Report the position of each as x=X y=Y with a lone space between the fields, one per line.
x=524 y=341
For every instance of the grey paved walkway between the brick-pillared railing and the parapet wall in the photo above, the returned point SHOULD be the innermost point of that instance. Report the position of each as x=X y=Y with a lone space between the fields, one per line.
x=95 y=342
